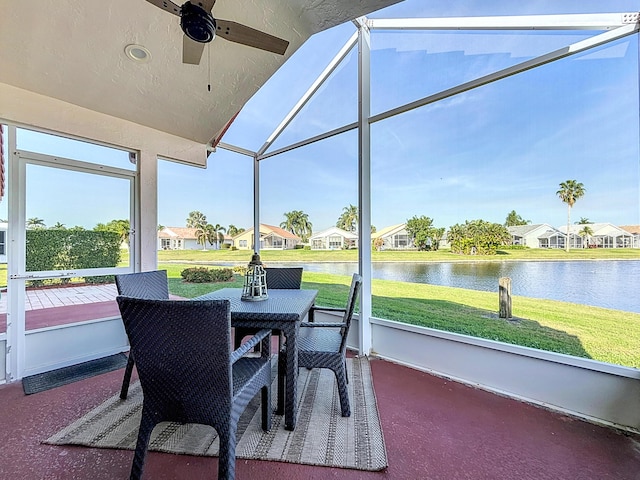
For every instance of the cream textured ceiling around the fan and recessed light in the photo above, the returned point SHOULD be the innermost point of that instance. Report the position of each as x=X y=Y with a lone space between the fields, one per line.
x=73 y=50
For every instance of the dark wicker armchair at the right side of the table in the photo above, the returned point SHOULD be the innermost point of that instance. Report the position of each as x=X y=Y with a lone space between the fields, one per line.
x=324 y=345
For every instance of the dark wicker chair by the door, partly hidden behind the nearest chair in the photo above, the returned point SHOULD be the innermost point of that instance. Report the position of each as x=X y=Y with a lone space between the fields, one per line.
x=150 y=285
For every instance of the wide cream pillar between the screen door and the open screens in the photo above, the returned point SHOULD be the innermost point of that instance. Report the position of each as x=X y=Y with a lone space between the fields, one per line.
x=146 y=226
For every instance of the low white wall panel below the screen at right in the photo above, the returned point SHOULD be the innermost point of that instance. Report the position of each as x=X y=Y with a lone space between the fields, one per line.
x=598 y=392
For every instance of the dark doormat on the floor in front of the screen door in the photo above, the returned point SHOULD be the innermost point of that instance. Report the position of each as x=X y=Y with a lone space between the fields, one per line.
x=73 y=373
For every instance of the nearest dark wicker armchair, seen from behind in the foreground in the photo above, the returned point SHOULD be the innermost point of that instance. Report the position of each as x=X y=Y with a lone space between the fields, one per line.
x=189 y=374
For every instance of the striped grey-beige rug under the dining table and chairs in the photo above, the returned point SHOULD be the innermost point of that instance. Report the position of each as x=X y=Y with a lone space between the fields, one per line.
x=321 y=437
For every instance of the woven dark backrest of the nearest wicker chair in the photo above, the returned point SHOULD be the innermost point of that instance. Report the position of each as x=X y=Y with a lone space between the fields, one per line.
x=183 y=357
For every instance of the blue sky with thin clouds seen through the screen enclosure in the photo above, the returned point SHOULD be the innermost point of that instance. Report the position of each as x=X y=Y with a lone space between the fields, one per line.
x=477 y=155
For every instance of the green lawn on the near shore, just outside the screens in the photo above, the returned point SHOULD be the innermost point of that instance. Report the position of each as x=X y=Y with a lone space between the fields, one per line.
x=601 y=334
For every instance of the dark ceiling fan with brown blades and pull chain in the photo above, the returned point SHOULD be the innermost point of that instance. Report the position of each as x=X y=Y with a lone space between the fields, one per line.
x=200 y=27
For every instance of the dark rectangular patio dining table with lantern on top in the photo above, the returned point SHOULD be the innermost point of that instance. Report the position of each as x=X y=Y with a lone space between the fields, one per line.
x=282 y=311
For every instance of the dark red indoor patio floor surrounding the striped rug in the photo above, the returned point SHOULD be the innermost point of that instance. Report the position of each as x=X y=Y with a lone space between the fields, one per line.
x=434 y=429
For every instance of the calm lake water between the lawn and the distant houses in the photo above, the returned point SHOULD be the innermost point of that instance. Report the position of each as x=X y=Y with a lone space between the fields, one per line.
x=605 y=283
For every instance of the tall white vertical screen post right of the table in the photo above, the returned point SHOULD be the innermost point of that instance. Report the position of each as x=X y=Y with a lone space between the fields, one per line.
x=364 y=185
